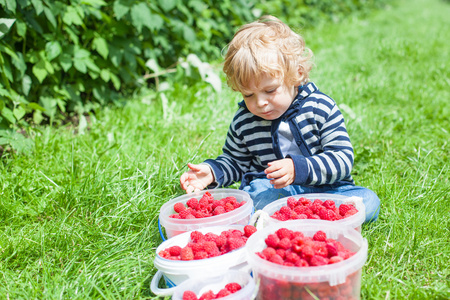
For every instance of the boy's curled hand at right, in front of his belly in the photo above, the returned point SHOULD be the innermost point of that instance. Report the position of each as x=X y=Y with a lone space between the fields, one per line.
x=282 y=172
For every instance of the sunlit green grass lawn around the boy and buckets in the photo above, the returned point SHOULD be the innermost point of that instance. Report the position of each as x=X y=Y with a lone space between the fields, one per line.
x=79 y=215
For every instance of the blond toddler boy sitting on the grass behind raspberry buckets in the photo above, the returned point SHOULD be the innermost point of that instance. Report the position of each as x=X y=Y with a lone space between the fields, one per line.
x=287 y=137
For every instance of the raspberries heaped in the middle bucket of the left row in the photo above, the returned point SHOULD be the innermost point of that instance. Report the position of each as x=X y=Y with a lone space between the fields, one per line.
x=209 y=245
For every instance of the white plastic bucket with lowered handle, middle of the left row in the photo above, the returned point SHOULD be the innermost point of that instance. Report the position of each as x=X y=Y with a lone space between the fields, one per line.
x=175 y=272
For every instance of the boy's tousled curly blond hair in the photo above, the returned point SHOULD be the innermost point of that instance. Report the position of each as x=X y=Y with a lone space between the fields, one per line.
x=266 y=47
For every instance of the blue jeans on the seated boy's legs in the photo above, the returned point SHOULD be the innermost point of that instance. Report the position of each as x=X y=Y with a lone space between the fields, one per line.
x=262 y=193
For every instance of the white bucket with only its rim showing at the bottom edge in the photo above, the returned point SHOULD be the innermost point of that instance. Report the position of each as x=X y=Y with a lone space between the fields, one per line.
x=202 y=285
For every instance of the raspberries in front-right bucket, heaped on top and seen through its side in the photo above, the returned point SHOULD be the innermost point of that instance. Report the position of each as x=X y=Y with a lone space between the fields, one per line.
x=294 y=249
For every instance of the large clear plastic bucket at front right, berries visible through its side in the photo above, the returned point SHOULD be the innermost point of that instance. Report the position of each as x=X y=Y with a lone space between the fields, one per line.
x=342 y=279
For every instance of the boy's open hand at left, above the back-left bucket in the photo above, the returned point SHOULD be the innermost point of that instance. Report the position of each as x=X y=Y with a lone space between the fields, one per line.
x=197 y=178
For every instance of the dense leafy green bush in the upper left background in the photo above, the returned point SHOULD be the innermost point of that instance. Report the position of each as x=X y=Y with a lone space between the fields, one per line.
x=65 y=56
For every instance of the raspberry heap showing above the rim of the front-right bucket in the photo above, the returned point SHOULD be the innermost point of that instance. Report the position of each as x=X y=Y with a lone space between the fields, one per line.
x=292 y=248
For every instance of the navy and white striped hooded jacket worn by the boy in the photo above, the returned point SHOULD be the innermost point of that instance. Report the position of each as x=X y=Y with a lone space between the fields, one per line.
x=319 y=131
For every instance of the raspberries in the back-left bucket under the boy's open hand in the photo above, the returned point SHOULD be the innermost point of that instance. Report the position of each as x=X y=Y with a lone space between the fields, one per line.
x=207 y=206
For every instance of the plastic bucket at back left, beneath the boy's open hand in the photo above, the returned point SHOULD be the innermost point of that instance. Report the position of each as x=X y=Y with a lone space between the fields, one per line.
x=238 y=216
